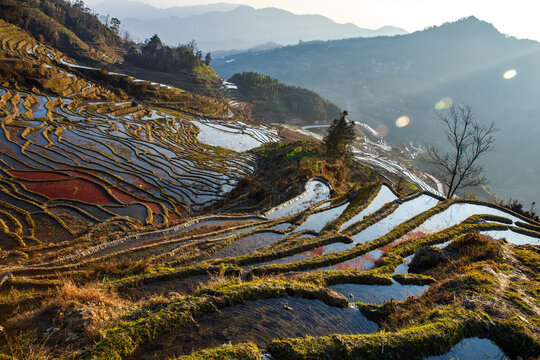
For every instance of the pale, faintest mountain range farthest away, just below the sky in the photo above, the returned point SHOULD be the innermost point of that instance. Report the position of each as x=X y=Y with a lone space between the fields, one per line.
x=232 y=26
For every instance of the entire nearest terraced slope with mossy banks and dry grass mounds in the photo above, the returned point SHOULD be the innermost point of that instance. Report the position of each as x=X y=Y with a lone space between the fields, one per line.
x=362 y=276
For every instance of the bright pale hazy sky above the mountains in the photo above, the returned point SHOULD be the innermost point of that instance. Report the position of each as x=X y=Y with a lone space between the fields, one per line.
x=519 y=18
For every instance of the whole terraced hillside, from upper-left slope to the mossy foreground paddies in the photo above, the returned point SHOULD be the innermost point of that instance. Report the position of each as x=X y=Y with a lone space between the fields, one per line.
x=139 y=220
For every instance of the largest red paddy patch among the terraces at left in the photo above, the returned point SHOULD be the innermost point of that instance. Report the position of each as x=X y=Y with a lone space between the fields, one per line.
x=76 y=189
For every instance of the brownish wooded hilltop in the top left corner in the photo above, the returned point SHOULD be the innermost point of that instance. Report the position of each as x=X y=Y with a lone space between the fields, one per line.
x=74 y=16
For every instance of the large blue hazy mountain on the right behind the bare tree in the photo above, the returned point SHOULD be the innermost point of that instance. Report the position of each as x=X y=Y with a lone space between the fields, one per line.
x=381 y=79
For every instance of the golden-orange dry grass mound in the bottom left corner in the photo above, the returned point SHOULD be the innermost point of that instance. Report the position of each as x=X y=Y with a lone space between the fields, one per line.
x=72 y=315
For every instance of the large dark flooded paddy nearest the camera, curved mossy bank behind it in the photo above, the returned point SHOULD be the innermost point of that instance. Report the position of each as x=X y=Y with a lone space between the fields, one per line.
x=260 y=322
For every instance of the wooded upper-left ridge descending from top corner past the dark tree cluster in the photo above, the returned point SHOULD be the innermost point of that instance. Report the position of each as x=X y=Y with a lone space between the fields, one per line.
x=76 y=30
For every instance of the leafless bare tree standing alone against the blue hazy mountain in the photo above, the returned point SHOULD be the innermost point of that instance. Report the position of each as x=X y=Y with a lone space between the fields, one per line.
x=468 y=140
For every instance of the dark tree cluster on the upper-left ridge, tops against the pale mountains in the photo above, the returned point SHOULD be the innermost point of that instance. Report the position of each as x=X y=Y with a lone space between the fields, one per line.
x=155 y=55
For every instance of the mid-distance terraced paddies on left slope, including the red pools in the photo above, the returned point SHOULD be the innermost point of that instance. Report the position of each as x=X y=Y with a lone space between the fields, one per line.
x=107 y=160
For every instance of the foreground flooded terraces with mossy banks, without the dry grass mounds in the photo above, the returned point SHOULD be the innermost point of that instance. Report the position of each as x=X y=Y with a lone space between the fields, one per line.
x=311 y=271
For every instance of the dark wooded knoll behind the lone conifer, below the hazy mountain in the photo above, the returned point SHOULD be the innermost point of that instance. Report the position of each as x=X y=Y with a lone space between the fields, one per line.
x=301 y=102
